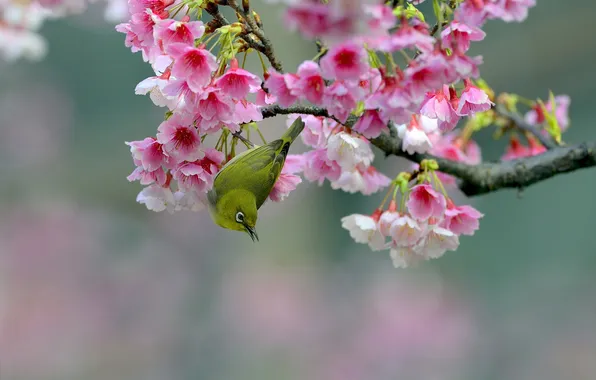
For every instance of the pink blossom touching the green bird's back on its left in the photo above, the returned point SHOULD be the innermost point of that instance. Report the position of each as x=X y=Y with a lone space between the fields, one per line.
x=199 y=175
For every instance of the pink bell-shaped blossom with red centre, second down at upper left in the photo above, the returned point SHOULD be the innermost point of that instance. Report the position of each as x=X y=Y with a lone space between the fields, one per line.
x=194 y=65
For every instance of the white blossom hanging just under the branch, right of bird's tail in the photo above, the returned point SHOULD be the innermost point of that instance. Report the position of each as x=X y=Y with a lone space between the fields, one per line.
x=349 y=150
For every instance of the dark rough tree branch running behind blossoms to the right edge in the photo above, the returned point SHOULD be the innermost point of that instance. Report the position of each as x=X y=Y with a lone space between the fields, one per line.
x=485 y=177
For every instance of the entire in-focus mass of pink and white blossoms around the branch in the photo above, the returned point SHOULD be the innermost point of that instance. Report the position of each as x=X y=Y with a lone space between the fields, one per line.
x=381 y=69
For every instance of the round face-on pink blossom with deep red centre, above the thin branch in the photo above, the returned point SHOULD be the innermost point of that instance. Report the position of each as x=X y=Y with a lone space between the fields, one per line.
x=344 y=61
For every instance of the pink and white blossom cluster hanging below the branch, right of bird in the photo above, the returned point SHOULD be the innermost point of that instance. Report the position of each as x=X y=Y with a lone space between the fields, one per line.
x=425 y=226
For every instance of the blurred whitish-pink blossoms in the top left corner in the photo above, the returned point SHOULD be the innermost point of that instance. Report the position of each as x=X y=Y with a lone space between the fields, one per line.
x=20 y=22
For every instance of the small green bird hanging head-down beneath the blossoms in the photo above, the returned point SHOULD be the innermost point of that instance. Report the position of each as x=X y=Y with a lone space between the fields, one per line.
x=244 y=183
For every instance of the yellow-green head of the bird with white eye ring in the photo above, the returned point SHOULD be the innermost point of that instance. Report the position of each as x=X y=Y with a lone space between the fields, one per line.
x=237 y=210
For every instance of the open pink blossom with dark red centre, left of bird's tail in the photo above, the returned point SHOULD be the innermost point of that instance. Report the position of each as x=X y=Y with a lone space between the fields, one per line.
x=179 y=139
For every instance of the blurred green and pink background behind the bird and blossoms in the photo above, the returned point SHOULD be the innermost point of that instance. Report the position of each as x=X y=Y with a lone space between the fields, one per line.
x=94 y=286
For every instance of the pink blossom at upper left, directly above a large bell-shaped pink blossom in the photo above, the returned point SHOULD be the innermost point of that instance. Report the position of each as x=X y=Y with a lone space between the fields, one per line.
x=171 y=31
